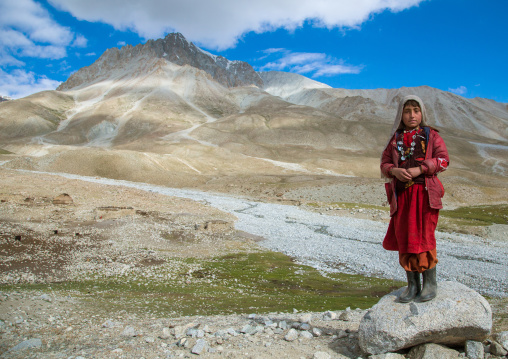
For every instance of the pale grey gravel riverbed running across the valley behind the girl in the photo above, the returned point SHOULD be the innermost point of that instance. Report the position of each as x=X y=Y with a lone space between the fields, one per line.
x=331 y=243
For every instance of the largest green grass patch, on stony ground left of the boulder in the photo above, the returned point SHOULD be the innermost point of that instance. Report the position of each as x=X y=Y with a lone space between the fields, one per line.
x=238 y=283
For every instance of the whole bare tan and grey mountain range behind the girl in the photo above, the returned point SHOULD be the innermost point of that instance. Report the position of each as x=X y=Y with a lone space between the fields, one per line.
x=168 y=112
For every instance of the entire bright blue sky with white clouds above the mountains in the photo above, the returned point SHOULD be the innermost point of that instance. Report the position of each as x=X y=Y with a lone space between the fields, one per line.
x=454 y=45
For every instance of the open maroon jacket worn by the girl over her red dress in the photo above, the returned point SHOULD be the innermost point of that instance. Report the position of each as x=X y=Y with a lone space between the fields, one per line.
x=436 y=160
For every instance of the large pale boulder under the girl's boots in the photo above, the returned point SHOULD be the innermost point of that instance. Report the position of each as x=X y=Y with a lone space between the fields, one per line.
x=457 y=314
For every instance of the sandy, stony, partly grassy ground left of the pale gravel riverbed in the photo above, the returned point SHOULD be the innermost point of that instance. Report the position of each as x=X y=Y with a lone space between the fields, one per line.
x=121 y=272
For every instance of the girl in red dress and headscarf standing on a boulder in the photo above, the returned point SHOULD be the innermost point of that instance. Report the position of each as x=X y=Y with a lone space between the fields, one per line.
x=412 y=158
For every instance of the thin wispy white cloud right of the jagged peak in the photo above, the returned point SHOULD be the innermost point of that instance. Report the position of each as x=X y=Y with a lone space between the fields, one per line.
x=309 y=63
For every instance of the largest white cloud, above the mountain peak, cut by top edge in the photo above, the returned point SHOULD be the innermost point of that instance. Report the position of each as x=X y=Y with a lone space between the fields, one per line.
x=220 y=24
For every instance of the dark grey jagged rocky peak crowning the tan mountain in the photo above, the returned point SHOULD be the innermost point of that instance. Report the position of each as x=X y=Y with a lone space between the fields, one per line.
x=173 y=48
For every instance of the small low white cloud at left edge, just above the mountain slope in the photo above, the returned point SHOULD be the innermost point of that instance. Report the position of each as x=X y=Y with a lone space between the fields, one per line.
x=19 y=83
